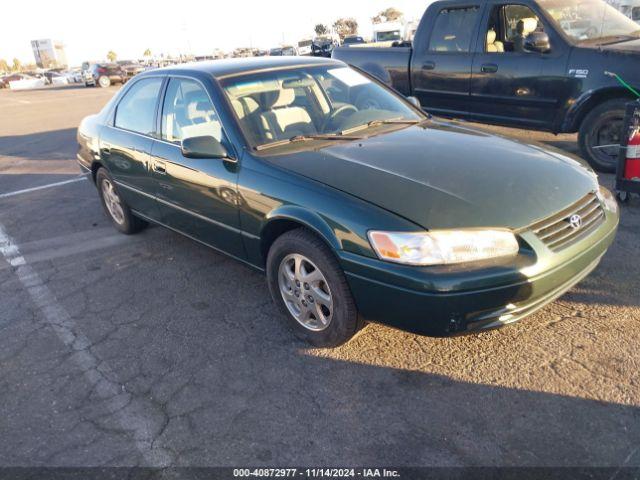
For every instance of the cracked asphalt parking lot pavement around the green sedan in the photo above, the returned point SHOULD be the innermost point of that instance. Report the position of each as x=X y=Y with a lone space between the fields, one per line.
x=153 y=350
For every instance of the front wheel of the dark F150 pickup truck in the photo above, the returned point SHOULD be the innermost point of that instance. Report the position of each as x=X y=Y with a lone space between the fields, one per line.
x=600 y=135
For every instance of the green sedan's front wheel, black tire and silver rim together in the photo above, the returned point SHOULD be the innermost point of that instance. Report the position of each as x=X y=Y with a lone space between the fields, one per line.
x=309 y=287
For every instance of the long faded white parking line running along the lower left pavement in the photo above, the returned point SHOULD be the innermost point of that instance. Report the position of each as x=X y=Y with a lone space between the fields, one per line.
x=131 y=415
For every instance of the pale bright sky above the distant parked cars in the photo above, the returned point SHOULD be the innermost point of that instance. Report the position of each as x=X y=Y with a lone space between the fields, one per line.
x=128 y=27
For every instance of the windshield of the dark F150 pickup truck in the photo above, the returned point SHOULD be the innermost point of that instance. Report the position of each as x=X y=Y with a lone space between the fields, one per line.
x=591 y=21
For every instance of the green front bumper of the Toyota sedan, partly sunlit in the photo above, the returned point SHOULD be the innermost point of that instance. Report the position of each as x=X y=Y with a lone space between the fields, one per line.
x=446 y=301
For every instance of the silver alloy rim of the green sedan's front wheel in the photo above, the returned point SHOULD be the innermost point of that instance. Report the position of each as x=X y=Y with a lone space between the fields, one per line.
x=305 y=292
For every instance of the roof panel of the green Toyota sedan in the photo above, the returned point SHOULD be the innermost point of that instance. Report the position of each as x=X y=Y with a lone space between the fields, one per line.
x=236 y=66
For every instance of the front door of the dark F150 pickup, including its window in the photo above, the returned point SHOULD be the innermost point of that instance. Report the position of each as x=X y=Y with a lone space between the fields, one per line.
x=510 y=84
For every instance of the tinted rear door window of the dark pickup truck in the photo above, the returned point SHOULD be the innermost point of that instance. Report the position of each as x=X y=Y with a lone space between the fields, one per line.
x=453 y=29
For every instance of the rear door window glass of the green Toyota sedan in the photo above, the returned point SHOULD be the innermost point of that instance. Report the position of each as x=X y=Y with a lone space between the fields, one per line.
x=136 y=111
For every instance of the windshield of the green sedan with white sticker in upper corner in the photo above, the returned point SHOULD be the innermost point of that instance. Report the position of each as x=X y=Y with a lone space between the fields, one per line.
x=314 y=101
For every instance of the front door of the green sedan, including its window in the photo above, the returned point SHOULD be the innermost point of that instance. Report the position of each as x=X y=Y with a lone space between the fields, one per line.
x=197 y=197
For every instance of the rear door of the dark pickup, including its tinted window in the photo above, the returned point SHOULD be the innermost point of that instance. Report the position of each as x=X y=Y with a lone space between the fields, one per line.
x=441 y=62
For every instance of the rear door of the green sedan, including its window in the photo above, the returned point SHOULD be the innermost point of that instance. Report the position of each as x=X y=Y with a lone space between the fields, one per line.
x=125 y=145
